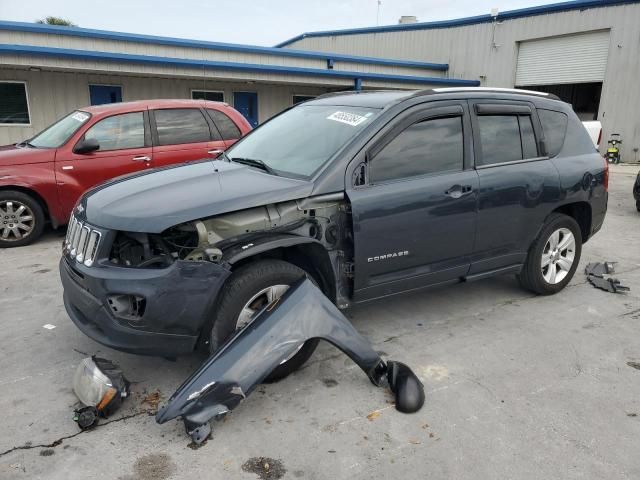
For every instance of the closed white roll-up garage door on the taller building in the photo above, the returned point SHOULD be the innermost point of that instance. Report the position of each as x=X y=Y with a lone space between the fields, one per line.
x=580 y=58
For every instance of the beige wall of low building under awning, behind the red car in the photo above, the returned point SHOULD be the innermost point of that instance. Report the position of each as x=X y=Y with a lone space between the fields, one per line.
x=54 y=94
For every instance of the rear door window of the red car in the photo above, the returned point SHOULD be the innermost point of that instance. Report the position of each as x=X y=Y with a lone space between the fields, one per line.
x=181 y=125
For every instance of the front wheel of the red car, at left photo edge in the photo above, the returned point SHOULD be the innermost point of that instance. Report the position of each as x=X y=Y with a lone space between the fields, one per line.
x=21 y=219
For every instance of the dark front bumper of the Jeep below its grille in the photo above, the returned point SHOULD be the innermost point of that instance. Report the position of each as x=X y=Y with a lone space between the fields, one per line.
x=177 y=301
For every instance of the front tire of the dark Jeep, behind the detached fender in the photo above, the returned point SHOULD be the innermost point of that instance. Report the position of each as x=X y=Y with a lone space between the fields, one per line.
x=243 y=285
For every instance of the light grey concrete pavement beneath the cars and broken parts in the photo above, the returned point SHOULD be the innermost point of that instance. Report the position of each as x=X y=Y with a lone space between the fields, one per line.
x=517 y=386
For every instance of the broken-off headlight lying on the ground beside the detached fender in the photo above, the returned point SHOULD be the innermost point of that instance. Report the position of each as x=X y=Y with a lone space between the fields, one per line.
x=100 y=386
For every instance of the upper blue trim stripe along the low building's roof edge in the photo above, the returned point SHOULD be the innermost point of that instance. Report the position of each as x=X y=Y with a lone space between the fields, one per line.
x=227 y=47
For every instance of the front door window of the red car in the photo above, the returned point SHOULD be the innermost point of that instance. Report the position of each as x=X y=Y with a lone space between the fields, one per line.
x=119 y=132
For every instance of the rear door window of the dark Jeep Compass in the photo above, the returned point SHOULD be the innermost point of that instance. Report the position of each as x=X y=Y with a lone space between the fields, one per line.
x=506 y=138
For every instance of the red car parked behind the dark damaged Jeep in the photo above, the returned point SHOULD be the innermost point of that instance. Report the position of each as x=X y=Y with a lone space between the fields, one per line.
x=41 y=178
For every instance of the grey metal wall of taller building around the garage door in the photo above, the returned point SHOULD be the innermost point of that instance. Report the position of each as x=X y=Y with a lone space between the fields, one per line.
x=470 y=54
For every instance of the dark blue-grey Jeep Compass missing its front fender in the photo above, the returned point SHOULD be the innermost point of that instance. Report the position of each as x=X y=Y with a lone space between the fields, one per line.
x=368 y=194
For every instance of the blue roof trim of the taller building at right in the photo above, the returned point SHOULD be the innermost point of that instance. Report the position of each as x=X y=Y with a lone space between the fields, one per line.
x=511 y=14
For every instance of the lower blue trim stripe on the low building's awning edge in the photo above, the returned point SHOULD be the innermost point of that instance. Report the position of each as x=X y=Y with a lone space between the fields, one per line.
x=33 y=50
